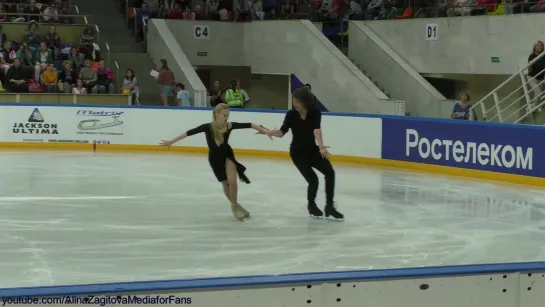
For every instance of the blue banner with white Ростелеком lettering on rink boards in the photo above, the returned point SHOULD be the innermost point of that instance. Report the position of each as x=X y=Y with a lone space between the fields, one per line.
x=489 y=147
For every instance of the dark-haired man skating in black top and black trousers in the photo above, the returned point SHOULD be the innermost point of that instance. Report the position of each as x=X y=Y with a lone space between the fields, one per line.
x=305 y=124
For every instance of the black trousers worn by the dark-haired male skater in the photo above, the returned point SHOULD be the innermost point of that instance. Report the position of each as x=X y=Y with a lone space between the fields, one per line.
x=305 y=161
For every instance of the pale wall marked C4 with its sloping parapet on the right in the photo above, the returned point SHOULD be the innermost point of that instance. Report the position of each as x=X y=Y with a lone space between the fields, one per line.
x=285 y=47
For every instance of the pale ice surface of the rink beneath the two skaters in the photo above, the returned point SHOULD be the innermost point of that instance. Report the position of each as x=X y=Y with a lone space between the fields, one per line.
x=80 y=217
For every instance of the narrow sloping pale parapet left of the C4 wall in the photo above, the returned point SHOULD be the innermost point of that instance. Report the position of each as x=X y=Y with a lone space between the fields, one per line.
x=163 y=45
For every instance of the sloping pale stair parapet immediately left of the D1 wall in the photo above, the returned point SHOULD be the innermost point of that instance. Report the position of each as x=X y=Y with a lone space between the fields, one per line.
x=400 y=79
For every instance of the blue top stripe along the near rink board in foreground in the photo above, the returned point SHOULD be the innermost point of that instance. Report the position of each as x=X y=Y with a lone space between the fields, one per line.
x=273 y=280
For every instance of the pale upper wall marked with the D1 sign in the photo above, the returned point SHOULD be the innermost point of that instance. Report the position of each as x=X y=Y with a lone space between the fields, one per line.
x=464 y=44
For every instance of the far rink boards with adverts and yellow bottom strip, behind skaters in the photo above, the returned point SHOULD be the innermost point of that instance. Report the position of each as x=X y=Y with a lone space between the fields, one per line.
x=498 y=152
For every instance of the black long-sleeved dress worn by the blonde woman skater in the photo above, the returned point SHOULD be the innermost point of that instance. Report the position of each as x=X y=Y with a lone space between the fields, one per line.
x=217 y=155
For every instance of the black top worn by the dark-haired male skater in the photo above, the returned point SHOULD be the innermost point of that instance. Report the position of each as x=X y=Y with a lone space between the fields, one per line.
x=302 y=129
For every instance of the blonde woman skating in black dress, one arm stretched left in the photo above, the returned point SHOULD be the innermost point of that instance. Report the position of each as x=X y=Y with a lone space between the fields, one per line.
x=220 y=154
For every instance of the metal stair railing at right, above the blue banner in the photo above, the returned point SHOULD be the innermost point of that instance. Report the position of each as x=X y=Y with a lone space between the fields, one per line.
x=515 y=100
